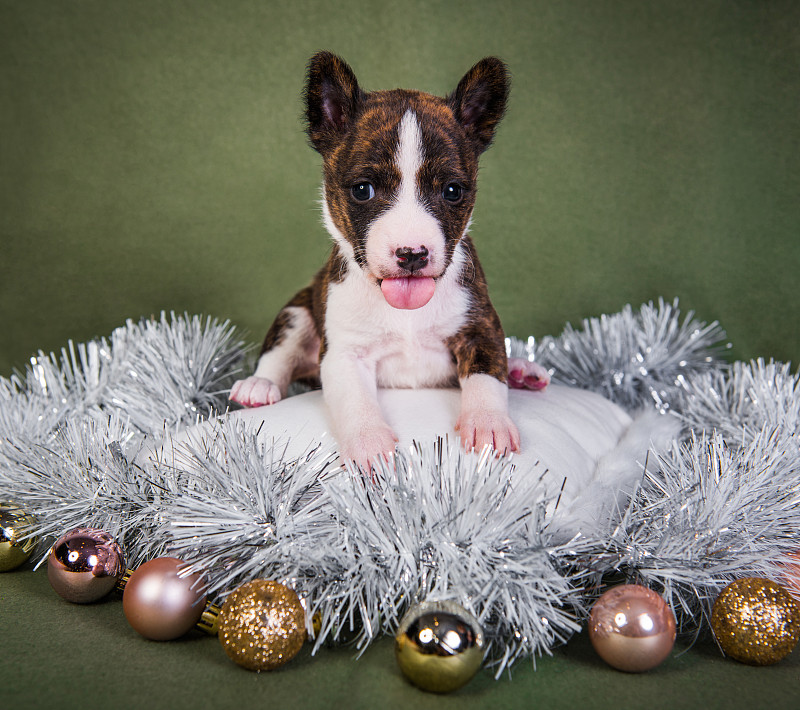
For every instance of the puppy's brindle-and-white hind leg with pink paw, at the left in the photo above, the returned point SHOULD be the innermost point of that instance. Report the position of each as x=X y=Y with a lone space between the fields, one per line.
x=290 y=351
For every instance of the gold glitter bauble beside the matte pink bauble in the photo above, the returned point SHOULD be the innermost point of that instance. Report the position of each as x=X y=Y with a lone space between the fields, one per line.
x=262 y=625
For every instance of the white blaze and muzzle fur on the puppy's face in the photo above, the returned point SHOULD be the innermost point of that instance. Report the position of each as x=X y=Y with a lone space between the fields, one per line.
x=407 y=223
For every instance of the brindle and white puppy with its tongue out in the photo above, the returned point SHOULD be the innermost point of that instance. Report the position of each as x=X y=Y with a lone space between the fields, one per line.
x=402 y=300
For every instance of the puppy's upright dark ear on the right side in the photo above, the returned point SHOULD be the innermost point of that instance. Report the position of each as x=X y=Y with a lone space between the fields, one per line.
x=479 y=101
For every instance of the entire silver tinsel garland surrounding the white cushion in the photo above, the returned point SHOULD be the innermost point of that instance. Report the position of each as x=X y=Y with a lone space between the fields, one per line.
x=75 y=434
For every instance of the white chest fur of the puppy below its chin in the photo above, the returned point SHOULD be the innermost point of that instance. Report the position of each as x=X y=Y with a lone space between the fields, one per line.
x=404 y=348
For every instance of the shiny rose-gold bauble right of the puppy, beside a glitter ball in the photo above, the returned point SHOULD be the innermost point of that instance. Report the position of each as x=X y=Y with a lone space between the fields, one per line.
x=632 y=628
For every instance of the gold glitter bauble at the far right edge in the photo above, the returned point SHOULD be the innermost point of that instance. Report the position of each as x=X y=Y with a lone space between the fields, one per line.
x=756 y=621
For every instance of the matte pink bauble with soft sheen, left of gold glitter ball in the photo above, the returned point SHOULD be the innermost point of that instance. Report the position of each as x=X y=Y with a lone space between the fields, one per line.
x=159 y=602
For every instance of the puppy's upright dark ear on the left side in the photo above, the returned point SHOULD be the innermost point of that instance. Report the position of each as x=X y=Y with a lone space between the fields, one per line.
x=332 y=97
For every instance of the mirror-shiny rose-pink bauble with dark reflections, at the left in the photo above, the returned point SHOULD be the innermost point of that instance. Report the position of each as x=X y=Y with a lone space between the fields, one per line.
x=84 y=565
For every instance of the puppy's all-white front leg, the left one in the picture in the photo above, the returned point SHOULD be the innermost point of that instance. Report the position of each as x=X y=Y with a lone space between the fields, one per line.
x=350 y=391
